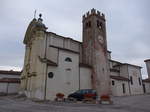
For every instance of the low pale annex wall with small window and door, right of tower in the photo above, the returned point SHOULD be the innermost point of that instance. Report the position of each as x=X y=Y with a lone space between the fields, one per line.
x=117 y=88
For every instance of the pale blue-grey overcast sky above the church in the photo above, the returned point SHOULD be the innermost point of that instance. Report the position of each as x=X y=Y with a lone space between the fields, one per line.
x=128 y=26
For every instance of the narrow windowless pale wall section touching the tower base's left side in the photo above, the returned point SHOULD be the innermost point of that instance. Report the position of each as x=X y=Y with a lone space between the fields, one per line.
x=85 y=78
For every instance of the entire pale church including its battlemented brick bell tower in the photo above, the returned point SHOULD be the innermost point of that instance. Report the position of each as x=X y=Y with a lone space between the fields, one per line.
x=56 y=64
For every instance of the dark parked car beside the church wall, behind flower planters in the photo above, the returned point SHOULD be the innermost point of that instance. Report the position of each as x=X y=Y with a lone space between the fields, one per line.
x=80 y=94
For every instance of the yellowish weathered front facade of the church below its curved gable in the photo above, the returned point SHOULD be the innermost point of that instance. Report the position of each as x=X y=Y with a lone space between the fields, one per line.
x=33 y=80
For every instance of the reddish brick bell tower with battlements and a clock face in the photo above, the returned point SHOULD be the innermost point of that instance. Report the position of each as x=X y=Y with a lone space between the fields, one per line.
x=95 y=50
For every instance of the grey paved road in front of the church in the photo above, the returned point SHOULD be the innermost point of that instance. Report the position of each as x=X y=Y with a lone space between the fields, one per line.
x=139 y=103
